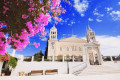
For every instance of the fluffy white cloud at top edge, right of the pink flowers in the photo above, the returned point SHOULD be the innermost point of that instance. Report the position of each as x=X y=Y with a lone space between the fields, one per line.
x=81 y=7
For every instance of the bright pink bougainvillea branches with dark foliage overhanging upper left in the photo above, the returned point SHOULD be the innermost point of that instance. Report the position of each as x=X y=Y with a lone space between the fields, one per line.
x=22 y=19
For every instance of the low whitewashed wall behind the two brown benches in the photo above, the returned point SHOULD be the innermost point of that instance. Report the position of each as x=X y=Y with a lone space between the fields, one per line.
x=28 y=66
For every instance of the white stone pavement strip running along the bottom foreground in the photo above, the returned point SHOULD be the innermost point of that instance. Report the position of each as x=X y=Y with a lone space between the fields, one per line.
x=64 y=77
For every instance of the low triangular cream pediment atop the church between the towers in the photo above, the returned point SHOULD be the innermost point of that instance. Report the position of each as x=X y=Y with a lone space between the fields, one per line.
x=73 y=39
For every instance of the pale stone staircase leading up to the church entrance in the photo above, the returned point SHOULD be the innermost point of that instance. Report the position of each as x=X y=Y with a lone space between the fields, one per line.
x=99 y=70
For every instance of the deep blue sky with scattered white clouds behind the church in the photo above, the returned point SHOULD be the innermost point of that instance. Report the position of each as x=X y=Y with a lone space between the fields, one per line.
x=103 y=16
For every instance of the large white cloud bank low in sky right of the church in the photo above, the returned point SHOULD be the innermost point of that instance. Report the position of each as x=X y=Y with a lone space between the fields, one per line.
x=109 y=45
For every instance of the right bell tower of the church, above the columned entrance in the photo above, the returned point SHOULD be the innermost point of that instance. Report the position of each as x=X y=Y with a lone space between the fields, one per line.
x=90 y=35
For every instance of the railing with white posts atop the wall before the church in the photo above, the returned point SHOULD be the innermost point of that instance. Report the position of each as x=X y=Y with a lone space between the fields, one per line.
x=51 y=59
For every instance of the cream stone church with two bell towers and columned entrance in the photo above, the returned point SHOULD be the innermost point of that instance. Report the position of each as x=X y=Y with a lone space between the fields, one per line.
x=88 y=49
